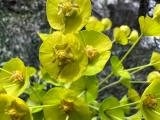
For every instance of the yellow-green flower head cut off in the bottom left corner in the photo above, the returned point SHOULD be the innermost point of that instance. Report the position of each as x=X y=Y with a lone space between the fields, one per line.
x=13 y=108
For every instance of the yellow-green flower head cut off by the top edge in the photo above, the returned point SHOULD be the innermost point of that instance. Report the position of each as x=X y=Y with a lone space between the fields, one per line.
x=68 y=15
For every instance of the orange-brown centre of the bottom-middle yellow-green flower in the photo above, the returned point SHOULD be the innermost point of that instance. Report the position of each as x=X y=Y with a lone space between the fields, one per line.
x=67 y=106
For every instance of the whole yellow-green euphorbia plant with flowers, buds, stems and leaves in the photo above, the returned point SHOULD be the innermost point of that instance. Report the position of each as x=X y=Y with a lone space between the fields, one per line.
x=70 y=60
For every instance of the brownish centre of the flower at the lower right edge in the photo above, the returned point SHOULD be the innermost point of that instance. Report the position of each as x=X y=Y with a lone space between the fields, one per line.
x=150 y=101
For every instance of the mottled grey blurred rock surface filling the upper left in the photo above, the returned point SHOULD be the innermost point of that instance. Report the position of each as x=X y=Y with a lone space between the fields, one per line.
x=19 y=23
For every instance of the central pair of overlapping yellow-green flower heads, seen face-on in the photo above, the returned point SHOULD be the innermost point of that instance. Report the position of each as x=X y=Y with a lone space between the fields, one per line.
x=68 y=57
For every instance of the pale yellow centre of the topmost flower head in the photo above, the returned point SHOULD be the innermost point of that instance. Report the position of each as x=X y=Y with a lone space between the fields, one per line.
x=67 y=8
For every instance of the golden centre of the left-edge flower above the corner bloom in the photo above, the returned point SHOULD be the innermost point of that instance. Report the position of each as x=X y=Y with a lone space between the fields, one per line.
x=17 y=76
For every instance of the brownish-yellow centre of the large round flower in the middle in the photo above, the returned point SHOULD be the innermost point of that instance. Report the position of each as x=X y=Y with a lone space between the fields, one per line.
x=63 y=54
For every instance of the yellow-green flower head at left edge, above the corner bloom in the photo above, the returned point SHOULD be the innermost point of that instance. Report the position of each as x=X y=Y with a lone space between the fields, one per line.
x=14 y=76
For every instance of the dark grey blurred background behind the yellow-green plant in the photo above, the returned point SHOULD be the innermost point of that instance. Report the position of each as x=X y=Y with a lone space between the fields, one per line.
x=20 y=20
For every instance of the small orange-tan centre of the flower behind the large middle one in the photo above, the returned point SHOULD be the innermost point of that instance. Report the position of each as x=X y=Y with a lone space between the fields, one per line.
x=91 y=52
